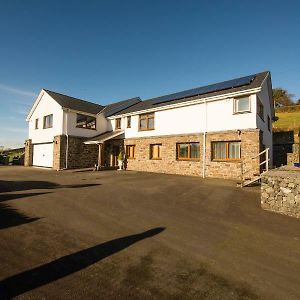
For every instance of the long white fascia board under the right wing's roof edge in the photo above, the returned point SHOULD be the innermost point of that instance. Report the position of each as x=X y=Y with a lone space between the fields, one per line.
x=188 y=103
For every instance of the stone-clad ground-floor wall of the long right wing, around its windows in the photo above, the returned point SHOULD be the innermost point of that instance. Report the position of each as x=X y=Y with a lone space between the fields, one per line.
x=250 y=146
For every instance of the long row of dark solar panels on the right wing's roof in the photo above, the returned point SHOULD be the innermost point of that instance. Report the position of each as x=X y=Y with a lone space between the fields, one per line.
x=206 y=89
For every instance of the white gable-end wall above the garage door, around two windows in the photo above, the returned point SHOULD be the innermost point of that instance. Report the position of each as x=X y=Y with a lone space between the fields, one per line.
x=46 y=106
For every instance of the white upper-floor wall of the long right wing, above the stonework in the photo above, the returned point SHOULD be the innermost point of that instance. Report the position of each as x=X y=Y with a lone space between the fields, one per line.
x=191 y=119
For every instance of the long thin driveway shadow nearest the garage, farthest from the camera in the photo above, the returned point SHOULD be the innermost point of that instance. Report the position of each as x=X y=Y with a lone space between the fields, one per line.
x=12 y=186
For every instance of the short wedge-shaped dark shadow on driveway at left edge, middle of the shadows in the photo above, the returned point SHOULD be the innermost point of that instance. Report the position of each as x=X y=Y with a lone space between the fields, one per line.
x=10 y=217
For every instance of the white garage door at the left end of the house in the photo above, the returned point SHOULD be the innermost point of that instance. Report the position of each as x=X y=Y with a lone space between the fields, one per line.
x=43 y=155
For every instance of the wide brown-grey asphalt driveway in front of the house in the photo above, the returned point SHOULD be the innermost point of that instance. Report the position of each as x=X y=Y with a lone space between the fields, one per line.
x=131 y=235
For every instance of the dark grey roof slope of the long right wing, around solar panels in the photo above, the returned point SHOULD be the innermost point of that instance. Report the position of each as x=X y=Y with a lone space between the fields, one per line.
x=151 y=103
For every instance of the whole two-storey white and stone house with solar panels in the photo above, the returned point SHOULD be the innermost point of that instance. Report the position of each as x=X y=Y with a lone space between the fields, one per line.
x=211 y=131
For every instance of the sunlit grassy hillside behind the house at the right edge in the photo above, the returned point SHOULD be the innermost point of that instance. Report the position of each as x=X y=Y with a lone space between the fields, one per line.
x=288 y=118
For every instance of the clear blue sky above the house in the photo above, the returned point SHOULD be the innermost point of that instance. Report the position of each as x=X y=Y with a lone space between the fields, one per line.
x=112 y=50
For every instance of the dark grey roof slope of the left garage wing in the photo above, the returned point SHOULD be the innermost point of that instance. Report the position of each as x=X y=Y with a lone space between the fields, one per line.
x=75 y=103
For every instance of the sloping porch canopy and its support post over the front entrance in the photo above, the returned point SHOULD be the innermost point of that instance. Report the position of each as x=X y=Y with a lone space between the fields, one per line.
x=100 y=139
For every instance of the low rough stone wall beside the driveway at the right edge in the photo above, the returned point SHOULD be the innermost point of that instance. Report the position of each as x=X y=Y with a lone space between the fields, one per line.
x=280 y=191
